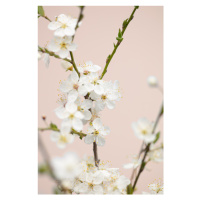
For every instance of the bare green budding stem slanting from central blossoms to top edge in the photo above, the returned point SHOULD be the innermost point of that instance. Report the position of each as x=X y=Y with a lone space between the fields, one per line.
x=118 y=43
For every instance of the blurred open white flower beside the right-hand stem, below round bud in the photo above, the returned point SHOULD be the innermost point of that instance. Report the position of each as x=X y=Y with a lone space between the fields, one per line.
x=143 y=130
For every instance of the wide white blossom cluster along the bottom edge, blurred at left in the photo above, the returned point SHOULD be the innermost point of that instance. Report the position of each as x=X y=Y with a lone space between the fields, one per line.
x=83 y=177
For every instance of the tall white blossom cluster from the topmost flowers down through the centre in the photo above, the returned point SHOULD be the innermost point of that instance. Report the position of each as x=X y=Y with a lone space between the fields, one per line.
x=83 y=95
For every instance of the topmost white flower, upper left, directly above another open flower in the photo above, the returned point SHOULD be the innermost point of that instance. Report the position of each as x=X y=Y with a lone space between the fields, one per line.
x=63 y=25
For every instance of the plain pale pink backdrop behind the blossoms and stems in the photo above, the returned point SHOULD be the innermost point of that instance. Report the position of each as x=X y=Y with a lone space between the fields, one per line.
x=139 y=55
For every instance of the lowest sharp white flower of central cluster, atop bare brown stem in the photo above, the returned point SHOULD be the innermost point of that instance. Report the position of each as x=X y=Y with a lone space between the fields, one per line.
x=96 y=133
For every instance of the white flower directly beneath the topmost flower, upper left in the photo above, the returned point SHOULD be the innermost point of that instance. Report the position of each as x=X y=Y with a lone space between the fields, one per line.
x=62 y=46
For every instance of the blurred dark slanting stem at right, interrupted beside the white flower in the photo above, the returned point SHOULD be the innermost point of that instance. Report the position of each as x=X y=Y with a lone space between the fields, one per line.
x=142 y=166
